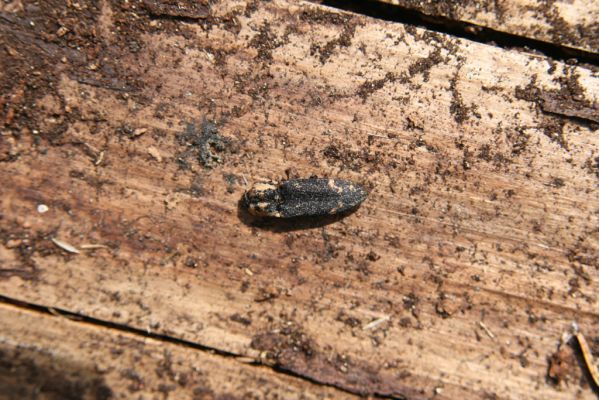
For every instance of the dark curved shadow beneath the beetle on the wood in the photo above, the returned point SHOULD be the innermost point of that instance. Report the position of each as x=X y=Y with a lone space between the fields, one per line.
x=281 y=225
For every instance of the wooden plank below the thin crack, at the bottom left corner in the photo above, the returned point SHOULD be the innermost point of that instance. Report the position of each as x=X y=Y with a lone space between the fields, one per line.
x=50 y=357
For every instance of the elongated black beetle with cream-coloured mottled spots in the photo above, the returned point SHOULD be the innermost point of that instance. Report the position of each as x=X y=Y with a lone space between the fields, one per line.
x=303 y=197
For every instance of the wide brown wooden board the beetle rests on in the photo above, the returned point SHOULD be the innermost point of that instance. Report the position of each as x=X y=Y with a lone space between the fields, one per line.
x=476 y=248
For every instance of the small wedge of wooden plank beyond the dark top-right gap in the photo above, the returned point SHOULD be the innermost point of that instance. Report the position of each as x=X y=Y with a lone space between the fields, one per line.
x=563 y=22
